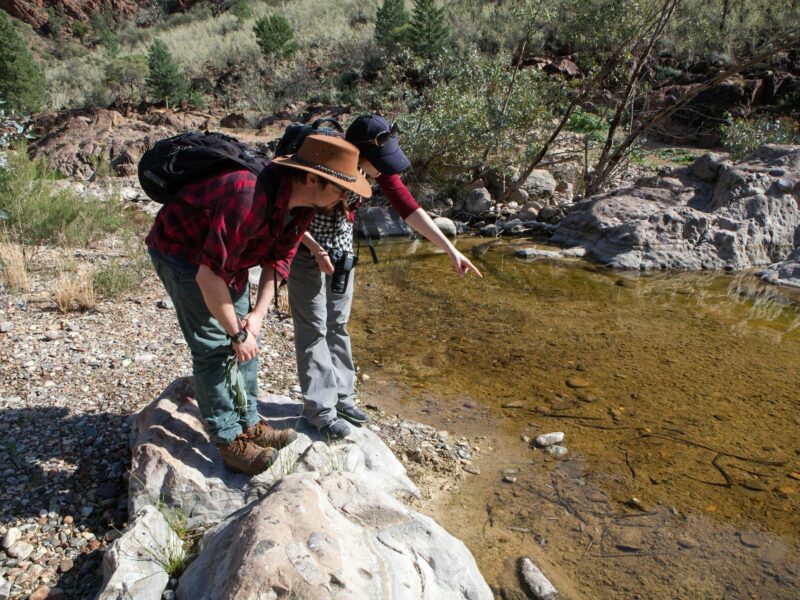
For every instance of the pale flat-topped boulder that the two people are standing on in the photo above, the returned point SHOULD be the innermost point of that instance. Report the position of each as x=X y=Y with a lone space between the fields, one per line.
x=174 y=461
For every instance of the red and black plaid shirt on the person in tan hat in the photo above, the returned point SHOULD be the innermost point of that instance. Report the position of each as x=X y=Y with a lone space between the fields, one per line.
x=225 y=223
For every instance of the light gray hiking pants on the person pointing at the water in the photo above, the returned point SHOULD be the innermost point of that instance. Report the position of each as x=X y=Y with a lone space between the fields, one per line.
x=322 y=344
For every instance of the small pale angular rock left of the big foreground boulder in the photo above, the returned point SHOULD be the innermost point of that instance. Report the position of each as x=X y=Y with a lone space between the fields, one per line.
x=134 y=566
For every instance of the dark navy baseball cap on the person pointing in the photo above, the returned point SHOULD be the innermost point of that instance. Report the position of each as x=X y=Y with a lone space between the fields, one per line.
x=377 y=141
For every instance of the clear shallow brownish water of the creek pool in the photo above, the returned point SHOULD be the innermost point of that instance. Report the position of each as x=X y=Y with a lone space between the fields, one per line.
x=680 y=391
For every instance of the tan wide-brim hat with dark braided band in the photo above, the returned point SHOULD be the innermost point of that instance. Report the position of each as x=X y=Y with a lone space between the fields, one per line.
x=332 y=158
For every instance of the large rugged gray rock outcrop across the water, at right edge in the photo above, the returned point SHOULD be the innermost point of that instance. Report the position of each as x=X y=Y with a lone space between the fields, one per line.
x=746 y=215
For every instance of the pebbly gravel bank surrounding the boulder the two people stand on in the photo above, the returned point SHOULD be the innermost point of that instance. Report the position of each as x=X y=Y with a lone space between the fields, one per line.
x=70 y=383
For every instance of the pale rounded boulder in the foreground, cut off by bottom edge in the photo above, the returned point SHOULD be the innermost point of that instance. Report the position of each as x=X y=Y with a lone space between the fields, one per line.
x=338 y=535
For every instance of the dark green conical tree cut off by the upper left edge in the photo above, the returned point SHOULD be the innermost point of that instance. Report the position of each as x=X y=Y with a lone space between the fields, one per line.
x=21 y=77
